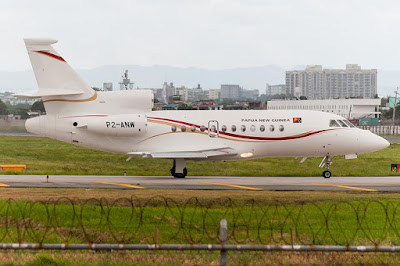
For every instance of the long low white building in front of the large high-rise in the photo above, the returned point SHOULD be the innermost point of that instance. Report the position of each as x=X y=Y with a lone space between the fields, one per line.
x=348 y=108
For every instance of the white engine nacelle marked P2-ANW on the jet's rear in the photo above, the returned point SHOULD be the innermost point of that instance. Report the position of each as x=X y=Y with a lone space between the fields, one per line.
x=118 y=125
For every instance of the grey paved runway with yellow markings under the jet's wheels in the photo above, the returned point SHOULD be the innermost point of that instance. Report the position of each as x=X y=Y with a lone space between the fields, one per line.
x=366 y=184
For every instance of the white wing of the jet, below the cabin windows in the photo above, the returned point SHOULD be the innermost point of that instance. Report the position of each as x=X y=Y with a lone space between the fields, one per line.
x=200 y=154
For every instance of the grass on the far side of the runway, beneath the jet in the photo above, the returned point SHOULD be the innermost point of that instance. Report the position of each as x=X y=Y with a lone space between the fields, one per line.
x=44 y=156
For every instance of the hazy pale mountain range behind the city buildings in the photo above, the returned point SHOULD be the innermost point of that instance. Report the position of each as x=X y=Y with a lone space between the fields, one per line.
x=155 y=76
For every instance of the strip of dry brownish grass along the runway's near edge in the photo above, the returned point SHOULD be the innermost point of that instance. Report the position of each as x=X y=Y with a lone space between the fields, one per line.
x=241 y=197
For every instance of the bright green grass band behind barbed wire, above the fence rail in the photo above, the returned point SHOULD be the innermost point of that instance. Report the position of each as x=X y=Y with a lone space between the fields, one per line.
x=161 y=220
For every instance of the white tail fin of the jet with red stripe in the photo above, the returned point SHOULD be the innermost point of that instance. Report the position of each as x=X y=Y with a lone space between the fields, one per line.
x=53 y=74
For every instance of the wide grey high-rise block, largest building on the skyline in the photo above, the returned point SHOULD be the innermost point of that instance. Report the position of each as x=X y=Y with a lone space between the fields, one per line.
x=317 y=83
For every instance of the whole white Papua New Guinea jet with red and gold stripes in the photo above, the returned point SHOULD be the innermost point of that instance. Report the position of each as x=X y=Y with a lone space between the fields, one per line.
x=123 y=122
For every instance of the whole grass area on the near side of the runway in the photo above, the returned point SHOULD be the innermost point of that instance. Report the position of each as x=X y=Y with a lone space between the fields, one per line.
x=170 y=220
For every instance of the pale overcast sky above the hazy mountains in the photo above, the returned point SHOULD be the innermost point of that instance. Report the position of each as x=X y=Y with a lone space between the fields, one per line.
x=214 y=34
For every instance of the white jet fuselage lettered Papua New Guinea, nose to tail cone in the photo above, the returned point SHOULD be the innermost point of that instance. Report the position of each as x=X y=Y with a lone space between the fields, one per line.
x=176 y=131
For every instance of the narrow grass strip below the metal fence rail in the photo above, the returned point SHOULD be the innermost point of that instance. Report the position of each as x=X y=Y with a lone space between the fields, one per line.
x=198 y=258
